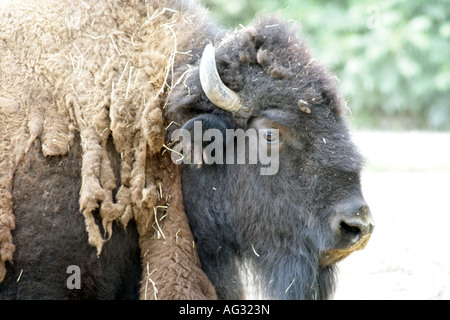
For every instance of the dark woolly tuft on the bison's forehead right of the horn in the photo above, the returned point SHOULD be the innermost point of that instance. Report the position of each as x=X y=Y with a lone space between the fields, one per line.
x=270 y=59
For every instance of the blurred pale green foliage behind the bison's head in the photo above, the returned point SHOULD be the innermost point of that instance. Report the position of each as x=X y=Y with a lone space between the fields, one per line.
x=392 y=56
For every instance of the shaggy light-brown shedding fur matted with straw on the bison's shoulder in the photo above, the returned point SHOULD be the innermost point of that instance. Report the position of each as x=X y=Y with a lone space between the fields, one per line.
x=98 y=69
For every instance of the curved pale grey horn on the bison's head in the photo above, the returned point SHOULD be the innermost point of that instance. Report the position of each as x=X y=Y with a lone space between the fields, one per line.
x=214 y=88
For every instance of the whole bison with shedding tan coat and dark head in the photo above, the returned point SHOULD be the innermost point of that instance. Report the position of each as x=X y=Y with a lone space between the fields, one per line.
x=94 y=202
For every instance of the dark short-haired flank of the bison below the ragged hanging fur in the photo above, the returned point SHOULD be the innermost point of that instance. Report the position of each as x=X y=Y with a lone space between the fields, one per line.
x=50 y=236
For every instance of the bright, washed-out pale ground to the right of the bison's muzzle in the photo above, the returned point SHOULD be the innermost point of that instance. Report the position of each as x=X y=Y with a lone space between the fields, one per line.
x=407 y=185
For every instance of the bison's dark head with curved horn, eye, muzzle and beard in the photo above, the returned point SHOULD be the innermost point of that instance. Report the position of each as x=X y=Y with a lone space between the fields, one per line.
x=286 y=229
